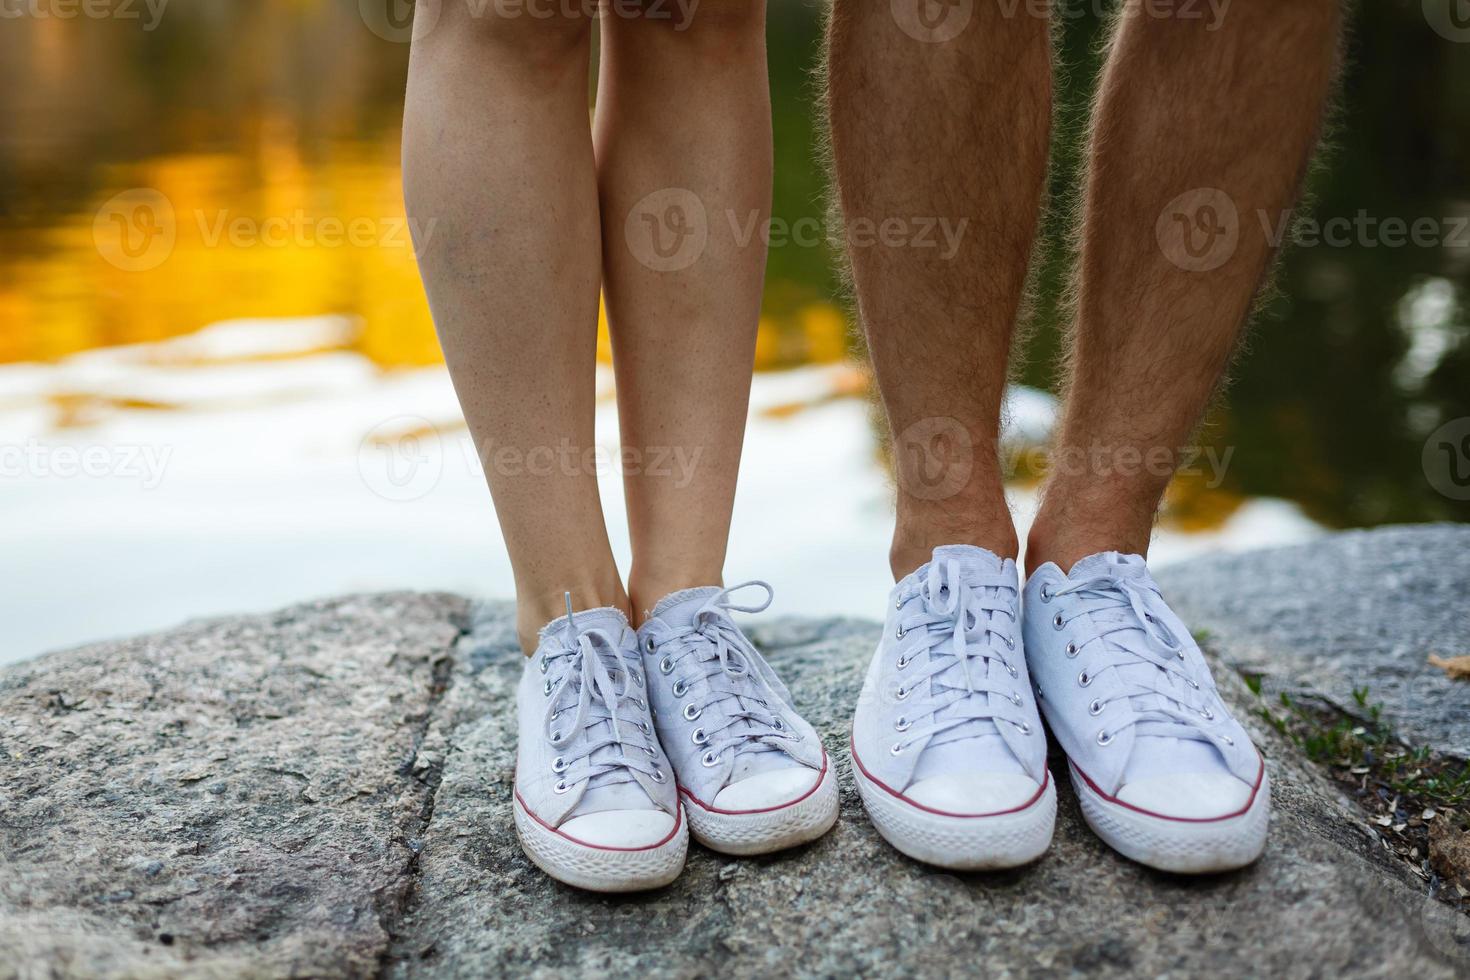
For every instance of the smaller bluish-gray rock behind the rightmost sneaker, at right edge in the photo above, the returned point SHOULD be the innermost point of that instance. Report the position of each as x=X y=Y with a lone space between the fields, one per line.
x=1356 y=610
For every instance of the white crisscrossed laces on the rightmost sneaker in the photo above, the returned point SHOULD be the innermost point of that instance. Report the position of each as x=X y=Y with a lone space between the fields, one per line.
x=1162 y=709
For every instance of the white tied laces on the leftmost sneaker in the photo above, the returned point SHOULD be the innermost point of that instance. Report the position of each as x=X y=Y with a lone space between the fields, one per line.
x=593 y=659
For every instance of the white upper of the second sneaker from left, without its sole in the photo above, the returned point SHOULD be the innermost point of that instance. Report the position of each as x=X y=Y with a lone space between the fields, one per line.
x=724 y=716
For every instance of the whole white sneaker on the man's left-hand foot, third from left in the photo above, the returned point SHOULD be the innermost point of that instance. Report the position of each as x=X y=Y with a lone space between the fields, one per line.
x=947 y=746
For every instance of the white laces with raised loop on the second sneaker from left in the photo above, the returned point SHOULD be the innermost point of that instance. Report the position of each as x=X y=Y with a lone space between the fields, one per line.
x=734 y=672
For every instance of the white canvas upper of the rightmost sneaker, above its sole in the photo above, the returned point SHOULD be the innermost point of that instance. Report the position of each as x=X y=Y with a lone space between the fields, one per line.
x=1130 y=696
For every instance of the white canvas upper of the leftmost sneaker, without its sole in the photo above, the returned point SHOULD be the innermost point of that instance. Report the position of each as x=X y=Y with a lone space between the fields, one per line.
x=589 y=763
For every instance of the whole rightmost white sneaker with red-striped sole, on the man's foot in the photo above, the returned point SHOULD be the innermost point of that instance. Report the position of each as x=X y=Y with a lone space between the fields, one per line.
x=1165 y=774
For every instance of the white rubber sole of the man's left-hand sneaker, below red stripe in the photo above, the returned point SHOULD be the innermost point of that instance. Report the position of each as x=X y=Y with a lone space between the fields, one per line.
x=961 y=843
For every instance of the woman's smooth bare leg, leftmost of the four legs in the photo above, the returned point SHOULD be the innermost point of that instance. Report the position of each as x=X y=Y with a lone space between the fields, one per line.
x=498 y=154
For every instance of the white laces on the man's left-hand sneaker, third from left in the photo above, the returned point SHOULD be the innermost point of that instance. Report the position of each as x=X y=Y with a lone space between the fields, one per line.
x=953 y=631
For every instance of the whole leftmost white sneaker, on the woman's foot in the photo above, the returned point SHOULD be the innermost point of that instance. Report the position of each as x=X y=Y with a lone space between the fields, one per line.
x=596 y=803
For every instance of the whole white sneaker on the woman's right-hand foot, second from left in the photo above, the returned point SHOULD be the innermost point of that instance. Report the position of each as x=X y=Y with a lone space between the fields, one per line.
x=753 y=775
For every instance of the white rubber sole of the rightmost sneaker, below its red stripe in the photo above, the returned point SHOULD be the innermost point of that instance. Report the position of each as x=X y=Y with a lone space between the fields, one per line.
x=1184 y=847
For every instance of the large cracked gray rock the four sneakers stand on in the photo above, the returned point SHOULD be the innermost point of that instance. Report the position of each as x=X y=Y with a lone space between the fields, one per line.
x=327 y=791
